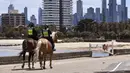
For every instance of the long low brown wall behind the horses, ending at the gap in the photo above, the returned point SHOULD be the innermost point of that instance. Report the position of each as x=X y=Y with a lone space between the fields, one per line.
x=58 y=56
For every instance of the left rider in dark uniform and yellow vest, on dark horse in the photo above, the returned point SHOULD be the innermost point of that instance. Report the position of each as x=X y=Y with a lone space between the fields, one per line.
x=32 y=33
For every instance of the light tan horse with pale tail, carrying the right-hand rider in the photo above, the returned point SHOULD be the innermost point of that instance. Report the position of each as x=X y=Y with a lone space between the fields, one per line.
x=43 y=49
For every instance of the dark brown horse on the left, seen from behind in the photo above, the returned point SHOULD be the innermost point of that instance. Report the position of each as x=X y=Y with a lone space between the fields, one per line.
x=29 y=46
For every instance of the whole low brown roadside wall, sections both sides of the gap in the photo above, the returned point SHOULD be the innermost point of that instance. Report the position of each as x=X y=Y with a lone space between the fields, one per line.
x=59 y=56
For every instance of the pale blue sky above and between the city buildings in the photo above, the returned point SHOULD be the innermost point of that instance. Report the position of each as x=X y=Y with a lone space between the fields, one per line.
x=33 y=5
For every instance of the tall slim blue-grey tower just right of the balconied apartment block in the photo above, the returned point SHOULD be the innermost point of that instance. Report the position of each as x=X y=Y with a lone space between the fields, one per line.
x=79 y=10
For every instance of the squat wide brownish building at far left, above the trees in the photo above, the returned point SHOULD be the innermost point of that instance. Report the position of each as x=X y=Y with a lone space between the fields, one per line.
x=12 y=20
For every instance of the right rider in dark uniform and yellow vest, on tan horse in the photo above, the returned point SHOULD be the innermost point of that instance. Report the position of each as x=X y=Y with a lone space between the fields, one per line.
x=46 y=33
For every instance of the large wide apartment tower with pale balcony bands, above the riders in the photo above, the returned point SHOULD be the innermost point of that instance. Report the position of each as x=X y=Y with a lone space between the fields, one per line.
x=56 y=12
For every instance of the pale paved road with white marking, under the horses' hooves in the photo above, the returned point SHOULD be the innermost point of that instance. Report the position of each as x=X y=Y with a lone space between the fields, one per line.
x=77 y=65
